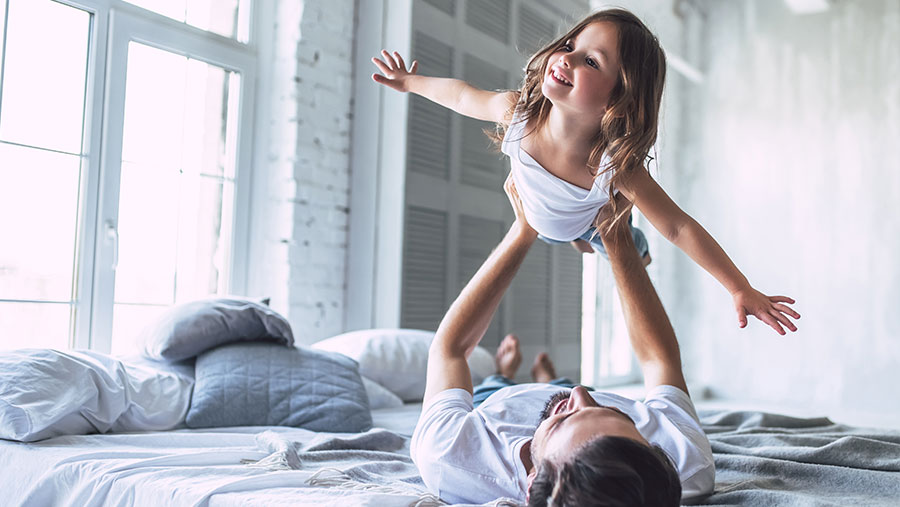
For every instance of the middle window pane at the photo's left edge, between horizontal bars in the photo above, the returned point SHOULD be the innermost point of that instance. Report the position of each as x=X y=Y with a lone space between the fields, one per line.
x=39 y=210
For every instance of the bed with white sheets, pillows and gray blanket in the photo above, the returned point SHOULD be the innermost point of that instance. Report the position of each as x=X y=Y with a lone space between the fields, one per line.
x=85 y=429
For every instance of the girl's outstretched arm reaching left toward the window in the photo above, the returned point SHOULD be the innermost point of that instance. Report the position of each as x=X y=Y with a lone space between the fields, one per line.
x=454 y=94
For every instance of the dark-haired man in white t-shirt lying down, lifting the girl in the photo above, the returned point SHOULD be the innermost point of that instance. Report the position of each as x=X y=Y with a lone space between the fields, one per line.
x=549 y=445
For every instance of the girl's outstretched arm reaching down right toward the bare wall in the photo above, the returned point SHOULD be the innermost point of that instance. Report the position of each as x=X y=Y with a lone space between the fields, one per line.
x=688 y=235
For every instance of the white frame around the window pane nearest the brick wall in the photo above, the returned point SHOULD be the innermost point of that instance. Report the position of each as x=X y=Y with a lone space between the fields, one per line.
x=114 y=24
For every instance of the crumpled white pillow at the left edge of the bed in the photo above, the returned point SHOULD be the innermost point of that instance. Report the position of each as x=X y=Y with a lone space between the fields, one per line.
x=45 y=393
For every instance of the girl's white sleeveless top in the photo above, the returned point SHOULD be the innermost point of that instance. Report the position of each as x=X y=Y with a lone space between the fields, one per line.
x=554 y=207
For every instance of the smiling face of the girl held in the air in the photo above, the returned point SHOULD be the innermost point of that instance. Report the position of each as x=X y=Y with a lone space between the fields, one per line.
x=582 y=73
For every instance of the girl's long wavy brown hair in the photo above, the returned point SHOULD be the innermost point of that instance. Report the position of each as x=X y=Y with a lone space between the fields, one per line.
x=629 y=123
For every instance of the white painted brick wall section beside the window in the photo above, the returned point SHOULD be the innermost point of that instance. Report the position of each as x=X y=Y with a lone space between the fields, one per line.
x=300 y=212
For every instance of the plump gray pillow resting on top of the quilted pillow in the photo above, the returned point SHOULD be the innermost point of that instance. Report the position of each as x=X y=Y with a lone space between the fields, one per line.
x=188 y=329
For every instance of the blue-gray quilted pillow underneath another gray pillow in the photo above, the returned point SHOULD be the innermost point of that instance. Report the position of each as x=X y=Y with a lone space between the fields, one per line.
x=261 y=384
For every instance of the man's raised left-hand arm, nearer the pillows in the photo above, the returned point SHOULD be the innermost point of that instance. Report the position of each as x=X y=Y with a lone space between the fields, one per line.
x=470 y=315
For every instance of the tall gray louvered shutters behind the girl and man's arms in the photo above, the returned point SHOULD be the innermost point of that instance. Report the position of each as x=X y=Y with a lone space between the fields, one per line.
x=455 y=210
